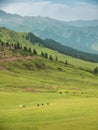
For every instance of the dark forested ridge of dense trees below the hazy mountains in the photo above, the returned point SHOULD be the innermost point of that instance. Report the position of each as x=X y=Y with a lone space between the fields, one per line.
x=49 y=43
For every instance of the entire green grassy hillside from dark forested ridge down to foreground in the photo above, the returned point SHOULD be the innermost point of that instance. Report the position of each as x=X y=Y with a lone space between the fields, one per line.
x=38 y=93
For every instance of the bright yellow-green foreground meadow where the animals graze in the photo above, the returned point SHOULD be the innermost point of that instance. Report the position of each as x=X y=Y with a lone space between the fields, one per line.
x=65 y=111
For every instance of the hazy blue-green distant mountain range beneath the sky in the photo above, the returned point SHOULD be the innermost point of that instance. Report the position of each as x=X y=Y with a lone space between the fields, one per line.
x=81 y=35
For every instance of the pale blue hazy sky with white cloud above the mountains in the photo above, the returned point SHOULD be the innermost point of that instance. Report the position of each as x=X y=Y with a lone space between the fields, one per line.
x=60 y=9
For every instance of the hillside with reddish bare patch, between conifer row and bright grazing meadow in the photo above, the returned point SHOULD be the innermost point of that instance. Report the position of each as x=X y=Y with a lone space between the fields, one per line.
x=36 y=73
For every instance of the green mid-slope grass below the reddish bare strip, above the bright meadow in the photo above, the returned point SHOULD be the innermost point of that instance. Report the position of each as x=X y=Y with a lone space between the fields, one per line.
x=41 y=73
